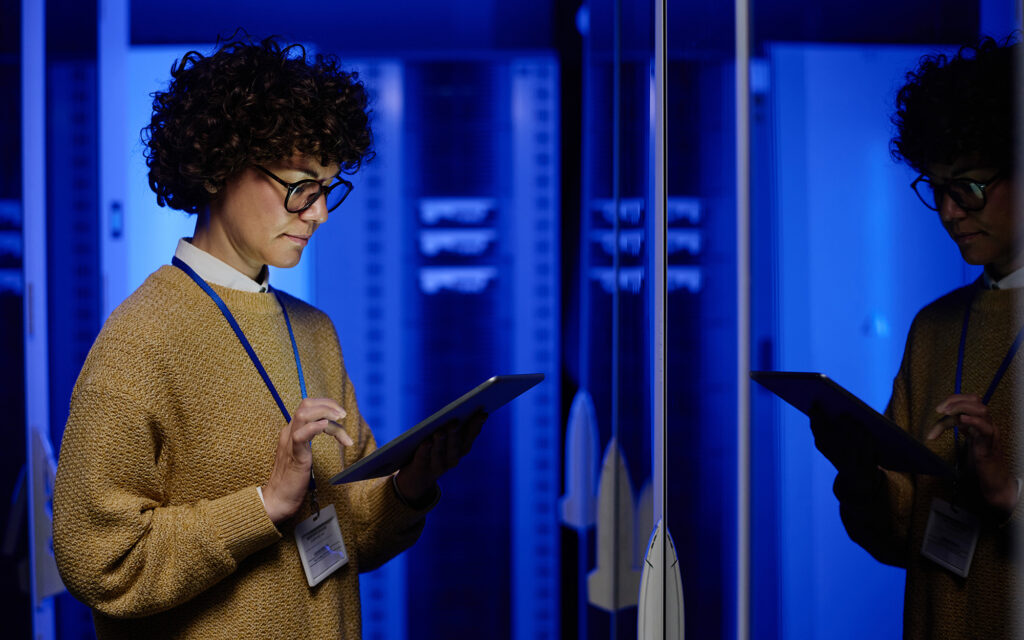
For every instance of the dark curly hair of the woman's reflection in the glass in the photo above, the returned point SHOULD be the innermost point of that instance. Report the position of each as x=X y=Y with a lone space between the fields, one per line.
x=957 y=107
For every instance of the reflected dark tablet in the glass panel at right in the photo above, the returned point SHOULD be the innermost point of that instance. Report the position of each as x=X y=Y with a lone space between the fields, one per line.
x=899 y=451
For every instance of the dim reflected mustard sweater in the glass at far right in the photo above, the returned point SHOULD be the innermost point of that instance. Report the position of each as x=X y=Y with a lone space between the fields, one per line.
x=891 y=524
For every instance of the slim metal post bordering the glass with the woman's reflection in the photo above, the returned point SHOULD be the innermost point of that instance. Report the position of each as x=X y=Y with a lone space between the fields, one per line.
x=743 y=36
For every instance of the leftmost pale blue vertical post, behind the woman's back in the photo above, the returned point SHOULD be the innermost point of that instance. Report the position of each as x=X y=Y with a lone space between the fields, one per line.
x=34 y=238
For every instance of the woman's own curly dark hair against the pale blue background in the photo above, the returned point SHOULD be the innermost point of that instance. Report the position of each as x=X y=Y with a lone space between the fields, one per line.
x=251 y=104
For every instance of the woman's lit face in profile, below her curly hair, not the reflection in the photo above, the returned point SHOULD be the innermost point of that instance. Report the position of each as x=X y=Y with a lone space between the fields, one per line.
x=249 y=226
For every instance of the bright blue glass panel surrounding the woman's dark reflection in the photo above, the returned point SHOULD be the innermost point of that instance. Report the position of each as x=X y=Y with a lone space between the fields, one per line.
x=844 y=255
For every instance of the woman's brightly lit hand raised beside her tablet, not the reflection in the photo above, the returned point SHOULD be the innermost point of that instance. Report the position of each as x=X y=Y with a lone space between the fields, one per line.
x=284 y=493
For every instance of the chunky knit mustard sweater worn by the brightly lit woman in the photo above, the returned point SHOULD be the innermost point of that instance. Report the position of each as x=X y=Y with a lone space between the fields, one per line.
x=157 y=523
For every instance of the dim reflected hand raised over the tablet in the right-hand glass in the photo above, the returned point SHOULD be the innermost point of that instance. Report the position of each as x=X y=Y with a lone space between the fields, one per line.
x=986 y=455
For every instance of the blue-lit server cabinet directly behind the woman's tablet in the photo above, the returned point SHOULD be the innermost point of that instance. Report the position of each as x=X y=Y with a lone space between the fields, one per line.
x=441 y=271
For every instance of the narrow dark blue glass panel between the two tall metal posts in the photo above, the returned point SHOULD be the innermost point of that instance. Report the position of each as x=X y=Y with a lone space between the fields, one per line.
x=701 y=332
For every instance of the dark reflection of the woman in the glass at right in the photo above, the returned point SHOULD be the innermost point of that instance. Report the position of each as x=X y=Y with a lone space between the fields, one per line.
x=958 y=389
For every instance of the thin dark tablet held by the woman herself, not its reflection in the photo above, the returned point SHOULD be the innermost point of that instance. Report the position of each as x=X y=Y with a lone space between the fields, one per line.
x=488 y=397
